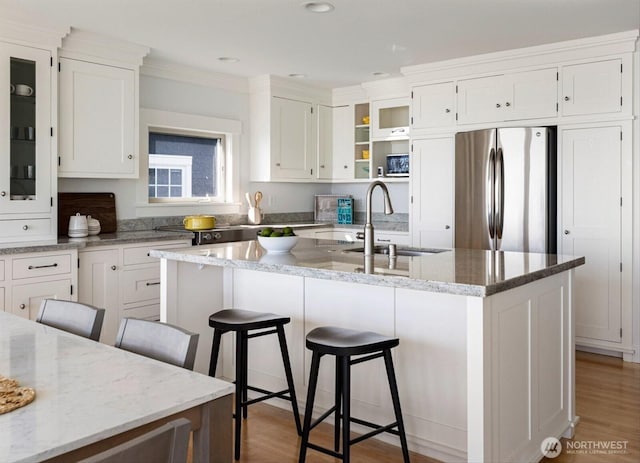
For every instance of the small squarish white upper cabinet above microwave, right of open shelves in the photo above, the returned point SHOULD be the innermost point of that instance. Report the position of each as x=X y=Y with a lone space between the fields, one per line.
x=390 y=118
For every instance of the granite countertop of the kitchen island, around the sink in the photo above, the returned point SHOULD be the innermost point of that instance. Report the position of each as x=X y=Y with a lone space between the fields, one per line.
x=454 y=271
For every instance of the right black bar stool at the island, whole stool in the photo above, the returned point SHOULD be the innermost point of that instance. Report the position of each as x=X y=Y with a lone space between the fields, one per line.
x=343 y=343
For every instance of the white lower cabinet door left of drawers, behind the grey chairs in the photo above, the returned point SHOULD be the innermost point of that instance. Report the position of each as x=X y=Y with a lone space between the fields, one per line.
x=98 y=286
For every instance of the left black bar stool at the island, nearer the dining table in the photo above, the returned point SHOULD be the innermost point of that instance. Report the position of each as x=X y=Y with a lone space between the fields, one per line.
x=241 y=322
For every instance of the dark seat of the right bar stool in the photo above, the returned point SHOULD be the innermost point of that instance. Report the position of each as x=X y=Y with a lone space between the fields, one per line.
x=342 y=341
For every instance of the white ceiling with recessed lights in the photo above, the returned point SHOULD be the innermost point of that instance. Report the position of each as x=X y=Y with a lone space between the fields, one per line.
x=340 y=48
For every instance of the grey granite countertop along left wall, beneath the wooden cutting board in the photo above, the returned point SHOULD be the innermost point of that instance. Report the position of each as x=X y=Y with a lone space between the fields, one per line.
x=106 y=239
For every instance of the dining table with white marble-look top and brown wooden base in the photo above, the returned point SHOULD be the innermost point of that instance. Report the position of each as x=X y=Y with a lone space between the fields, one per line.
x=91 y=396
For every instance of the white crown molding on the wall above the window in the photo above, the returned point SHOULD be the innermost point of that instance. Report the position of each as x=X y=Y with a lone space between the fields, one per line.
x=155 y=67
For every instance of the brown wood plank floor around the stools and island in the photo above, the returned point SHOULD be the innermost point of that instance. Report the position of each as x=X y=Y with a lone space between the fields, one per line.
x=607 y=401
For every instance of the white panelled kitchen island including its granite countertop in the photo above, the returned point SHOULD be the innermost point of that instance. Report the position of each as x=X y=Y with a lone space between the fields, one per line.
x=485 y=364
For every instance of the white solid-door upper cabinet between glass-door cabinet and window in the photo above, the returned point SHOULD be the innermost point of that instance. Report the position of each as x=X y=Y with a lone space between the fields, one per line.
x=98 y=107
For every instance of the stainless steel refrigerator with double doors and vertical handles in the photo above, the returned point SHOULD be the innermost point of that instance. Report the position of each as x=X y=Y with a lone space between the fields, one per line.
x=505 y=189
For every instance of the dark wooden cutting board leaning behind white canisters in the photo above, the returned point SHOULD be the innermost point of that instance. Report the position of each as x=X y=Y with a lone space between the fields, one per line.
x=101 y=206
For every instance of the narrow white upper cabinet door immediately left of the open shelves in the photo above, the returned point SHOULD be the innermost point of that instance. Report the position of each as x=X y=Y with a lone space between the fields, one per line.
x=343 y=140
